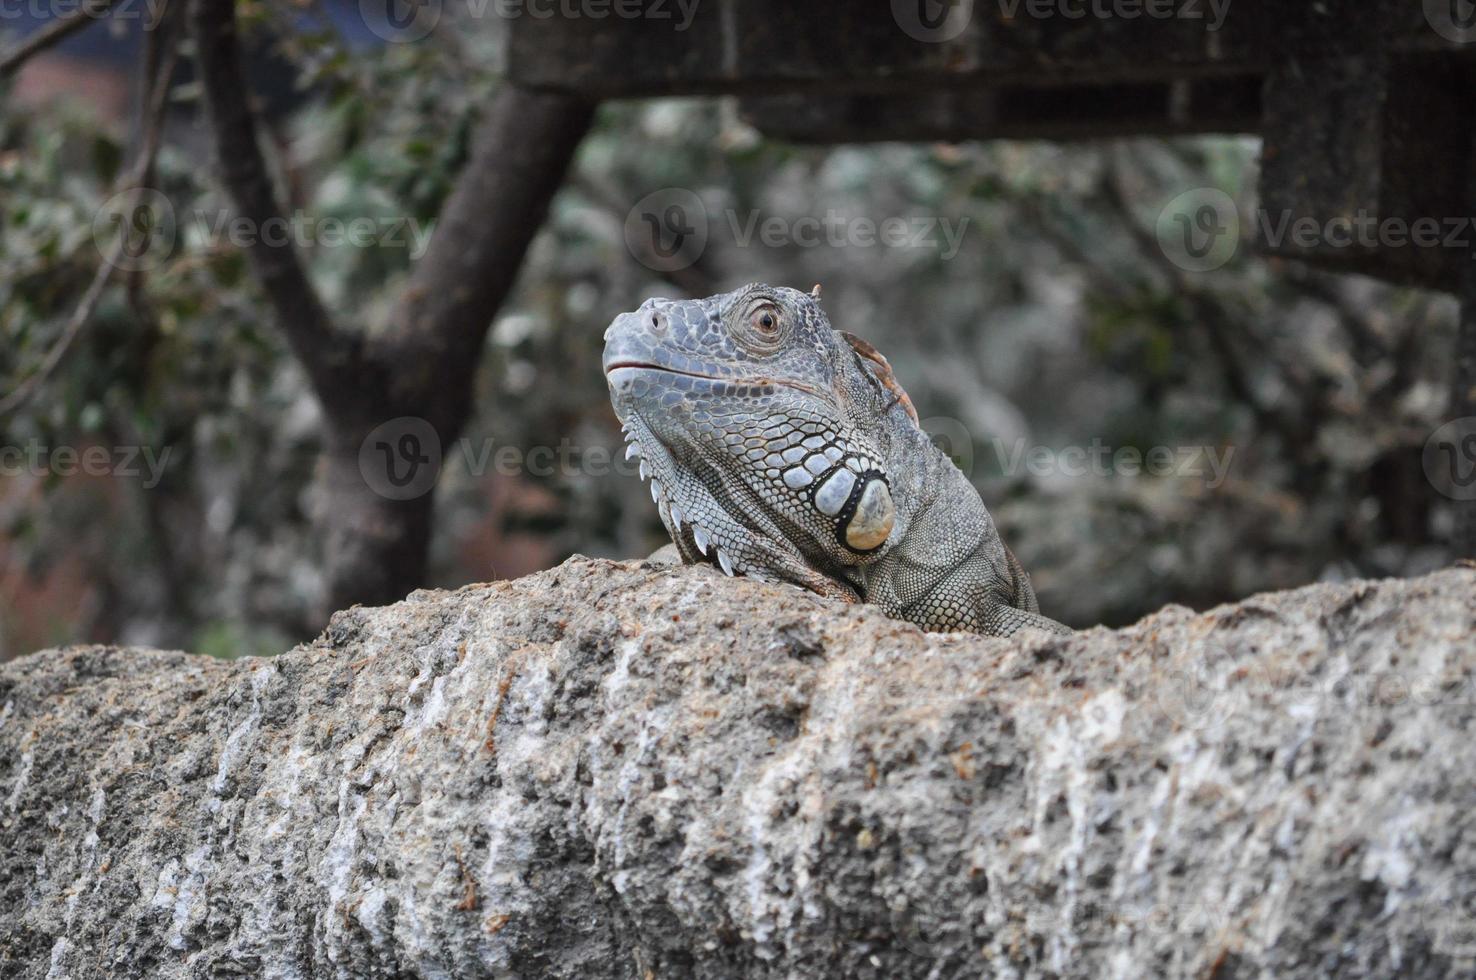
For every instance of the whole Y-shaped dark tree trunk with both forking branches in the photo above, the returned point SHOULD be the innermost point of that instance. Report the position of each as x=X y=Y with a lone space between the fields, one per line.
x=377 y=501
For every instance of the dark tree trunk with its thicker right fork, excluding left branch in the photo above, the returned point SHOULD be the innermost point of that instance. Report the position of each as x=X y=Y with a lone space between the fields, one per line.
x=380 y=469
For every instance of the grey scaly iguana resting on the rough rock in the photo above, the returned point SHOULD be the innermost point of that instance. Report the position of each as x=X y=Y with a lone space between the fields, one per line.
x=783 y=449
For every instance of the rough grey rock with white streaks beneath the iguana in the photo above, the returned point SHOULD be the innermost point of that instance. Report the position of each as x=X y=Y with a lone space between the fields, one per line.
x=635 y=771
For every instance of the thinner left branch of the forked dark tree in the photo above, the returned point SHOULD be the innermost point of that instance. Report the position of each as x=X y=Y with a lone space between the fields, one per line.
x=328 y=356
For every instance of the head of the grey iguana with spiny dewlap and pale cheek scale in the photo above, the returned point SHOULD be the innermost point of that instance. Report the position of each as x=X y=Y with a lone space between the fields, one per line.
x=761 y=426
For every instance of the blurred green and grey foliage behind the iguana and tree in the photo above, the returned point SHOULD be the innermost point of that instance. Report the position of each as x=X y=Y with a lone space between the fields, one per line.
x=1030 y=312
